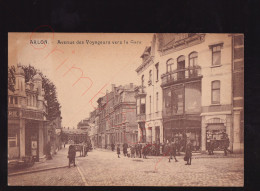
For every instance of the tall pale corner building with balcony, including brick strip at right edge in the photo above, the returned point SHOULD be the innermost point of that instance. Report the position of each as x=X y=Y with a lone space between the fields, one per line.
x=200 y=93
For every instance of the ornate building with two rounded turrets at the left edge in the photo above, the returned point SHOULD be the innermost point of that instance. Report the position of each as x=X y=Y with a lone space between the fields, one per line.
x=27 y=129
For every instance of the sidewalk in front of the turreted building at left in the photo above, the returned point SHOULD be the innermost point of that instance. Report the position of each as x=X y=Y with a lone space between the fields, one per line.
x=59 y=160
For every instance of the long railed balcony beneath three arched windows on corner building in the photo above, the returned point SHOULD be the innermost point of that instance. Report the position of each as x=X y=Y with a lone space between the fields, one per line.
x=181 y=75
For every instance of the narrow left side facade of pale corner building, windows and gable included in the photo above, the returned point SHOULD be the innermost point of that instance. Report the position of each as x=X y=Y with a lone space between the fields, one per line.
x=149 y=96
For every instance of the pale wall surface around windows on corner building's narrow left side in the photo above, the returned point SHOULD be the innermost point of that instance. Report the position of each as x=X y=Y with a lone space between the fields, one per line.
x=153 y=114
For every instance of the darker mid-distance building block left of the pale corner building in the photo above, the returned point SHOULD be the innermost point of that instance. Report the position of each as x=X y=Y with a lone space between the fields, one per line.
x=117 y=117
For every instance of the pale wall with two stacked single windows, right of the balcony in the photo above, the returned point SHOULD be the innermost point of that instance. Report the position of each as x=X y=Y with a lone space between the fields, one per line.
x=221 y=111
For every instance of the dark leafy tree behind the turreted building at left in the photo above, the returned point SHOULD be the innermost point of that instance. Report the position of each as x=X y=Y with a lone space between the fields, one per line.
x=53 y=105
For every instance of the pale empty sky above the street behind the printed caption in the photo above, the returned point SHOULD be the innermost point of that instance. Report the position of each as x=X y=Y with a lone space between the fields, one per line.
x=67 y=56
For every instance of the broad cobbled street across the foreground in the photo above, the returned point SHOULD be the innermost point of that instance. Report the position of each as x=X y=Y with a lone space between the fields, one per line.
x=104 y=168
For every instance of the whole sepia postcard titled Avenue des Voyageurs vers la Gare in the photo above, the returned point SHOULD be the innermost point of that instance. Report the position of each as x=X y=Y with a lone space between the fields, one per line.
x=125 y=109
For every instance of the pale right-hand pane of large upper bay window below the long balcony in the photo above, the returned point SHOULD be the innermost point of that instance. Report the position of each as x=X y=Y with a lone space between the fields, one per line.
x=193 y=97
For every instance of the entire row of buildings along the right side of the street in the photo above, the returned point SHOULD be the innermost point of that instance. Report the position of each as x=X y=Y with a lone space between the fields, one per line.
x=191 y=86
